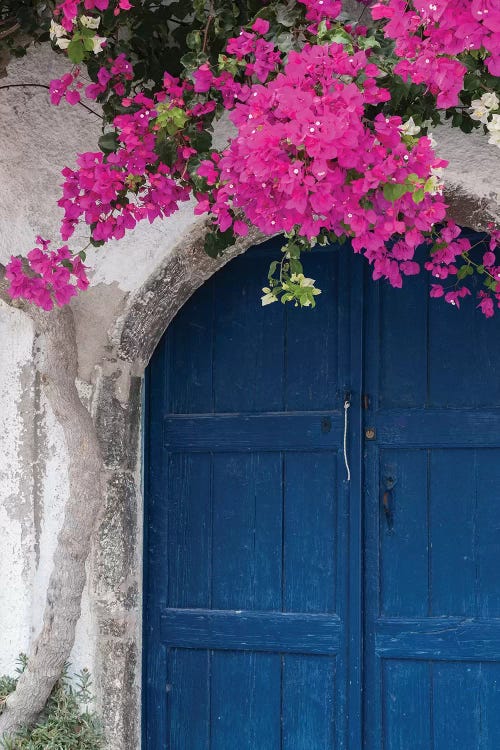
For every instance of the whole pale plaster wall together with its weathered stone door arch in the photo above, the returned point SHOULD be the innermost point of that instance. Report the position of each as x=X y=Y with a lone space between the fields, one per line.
x=138 y=285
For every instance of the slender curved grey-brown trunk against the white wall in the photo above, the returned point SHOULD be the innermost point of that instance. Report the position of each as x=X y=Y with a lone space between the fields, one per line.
x=58 y=368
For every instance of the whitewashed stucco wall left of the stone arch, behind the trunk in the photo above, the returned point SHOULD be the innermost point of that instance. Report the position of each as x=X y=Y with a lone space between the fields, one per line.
x=37 y=140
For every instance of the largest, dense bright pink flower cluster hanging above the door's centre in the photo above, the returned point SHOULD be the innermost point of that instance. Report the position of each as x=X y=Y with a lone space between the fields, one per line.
x=305 y=159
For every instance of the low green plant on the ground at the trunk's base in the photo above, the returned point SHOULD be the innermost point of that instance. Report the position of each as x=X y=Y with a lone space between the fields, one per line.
x=65 y=724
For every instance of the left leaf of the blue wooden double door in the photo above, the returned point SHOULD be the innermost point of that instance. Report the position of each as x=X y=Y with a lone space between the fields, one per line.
x=246 y=630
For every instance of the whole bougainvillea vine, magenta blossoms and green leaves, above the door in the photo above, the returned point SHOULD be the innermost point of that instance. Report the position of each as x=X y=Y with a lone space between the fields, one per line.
x=332 y=138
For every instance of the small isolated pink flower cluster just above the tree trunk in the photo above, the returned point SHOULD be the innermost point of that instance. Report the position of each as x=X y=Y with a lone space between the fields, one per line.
x=46 y=276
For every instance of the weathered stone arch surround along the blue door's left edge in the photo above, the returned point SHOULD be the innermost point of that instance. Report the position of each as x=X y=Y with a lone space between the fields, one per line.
x=115 y=568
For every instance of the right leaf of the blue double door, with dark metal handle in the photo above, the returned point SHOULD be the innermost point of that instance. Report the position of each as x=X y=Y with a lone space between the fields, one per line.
x=432 y=605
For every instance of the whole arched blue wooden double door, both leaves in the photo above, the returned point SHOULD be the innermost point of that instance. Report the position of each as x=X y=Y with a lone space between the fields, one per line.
x=286 y=609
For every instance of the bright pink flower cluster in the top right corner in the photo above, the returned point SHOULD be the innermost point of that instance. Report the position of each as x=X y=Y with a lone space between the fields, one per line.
x=429 y=36
